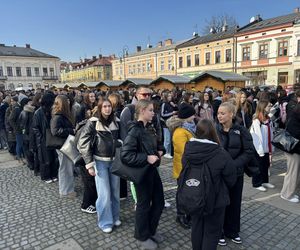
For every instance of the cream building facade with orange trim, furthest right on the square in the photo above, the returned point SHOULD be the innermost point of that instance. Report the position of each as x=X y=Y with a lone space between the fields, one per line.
x=267 y=50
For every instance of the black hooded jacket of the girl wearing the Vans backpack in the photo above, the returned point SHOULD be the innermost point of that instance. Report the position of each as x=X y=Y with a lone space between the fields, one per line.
x=219 y=162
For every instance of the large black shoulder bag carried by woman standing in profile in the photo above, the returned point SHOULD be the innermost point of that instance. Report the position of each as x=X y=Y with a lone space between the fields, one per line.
x=135 y=175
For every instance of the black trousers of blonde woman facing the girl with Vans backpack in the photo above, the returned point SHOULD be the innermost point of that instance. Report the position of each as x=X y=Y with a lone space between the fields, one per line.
x=232 y=221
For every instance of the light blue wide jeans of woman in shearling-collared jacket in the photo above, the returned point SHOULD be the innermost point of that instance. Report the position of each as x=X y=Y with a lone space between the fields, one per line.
x=108 y=190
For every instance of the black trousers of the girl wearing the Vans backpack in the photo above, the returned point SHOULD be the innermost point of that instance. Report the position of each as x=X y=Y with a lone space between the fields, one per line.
x=207 y=230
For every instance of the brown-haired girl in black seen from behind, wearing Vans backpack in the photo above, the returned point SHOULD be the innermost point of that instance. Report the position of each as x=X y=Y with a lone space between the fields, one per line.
x=206 y=149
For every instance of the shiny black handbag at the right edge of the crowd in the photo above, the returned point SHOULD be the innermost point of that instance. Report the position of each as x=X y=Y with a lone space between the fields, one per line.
x=284 y=141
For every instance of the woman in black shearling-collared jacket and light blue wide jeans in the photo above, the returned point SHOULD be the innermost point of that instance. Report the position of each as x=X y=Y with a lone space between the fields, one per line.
x=97 y=143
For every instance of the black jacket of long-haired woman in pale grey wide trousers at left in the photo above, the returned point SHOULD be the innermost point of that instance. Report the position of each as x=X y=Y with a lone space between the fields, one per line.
x=61 y=126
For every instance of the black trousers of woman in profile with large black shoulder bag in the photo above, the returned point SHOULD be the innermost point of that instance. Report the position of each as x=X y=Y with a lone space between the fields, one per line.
x=150 y=204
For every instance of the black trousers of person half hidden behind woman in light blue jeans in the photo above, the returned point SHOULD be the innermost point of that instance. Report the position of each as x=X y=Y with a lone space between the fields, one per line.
x=89 y=188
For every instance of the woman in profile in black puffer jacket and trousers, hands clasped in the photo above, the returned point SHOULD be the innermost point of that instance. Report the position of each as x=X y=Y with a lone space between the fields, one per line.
x=141 y=148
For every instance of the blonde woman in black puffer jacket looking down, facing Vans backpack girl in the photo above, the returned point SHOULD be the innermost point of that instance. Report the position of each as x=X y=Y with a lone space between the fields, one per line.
x=237 y=141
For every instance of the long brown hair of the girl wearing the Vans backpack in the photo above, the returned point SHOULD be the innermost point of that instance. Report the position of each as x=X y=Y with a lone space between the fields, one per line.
x=206 y=130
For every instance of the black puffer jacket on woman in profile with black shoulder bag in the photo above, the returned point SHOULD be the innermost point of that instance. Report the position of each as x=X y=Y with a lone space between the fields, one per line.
x=138 y=144
